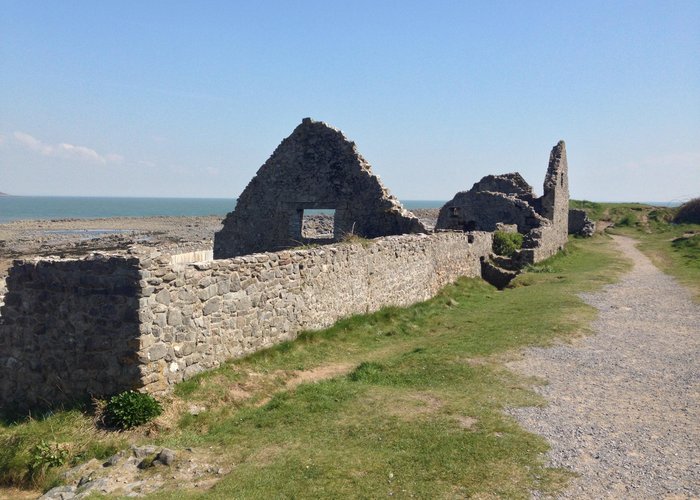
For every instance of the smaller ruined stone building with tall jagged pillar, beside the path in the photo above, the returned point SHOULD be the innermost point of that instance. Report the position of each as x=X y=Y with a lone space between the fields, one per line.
x=501 y=200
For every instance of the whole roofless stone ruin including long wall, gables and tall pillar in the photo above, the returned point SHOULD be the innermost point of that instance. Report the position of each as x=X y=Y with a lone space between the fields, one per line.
x=146 y=318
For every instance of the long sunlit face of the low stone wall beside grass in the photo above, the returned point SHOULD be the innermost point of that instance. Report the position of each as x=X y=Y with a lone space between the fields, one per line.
x=197 y=316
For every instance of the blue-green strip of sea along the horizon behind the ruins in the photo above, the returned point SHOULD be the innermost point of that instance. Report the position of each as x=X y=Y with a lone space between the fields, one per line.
x=83 y=207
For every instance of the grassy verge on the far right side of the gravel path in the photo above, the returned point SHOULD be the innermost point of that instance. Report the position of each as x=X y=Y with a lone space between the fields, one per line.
x=674 y=248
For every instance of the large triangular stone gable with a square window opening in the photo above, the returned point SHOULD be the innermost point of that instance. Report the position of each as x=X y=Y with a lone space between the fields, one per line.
x=316 y=167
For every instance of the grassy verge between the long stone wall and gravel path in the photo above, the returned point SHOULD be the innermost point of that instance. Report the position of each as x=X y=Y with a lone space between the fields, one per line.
x=401 y=402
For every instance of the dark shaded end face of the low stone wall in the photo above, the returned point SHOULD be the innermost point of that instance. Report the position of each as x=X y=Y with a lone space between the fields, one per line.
x=69 y=328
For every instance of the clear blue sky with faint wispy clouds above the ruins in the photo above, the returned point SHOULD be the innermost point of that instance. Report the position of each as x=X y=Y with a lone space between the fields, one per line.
x=167 y=98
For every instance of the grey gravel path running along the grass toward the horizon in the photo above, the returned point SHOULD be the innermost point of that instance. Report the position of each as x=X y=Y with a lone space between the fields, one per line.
x=624 y=403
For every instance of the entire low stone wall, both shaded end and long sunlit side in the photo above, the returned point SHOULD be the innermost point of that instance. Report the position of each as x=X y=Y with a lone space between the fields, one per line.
x=73 y=328
